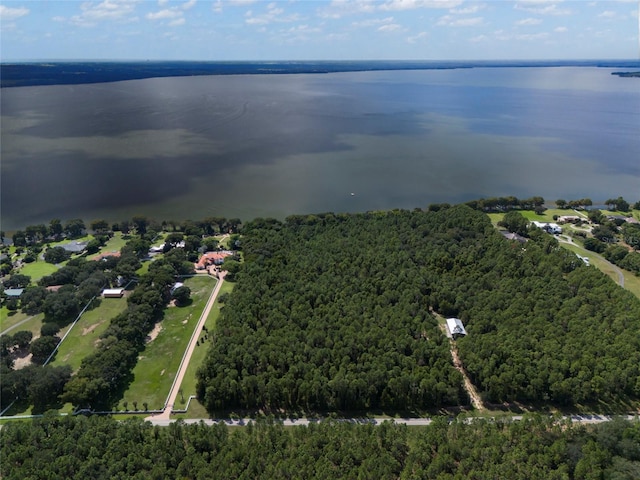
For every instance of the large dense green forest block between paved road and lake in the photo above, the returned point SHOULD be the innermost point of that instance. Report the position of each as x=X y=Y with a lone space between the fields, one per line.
x=332 y=312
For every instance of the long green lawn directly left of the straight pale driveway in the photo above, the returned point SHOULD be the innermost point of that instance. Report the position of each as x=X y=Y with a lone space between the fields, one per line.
x=158 y=364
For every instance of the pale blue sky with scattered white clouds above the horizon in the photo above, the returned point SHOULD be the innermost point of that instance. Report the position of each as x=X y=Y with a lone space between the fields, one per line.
x=318 y=30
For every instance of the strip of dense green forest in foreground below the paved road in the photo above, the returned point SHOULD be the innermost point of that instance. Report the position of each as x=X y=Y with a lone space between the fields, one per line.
x=537 y=447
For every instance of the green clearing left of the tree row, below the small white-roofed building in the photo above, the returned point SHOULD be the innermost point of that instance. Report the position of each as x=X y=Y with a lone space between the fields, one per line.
x=82 y=339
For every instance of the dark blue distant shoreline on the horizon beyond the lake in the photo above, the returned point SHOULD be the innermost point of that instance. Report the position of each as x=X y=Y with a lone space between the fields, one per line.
x=24 y=74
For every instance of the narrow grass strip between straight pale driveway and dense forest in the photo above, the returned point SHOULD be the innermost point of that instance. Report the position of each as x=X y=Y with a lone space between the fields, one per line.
x=196 y=410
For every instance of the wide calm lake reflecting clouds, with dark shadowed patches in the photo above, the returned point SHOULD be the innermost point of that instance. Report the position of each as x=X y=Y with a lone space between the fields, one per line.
x=272 y=145
